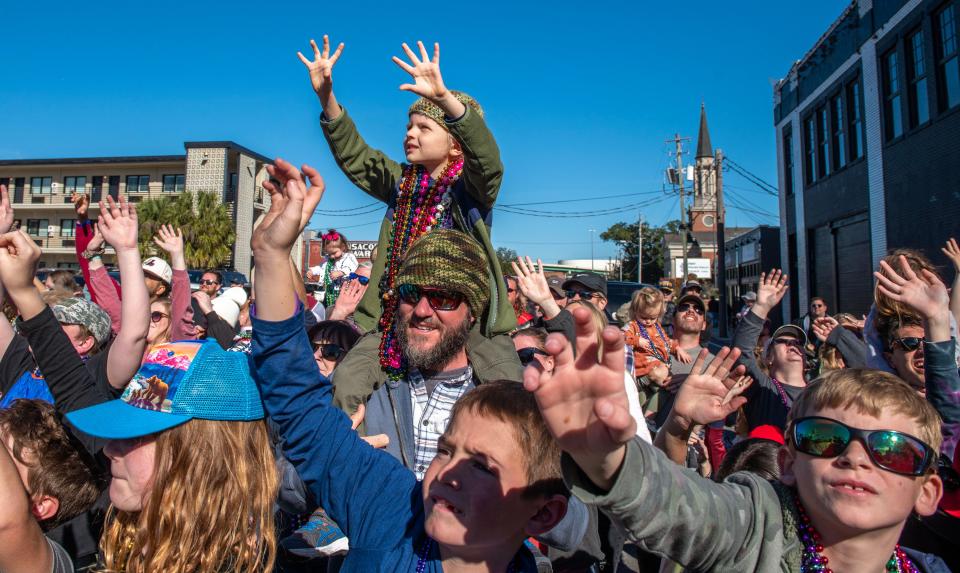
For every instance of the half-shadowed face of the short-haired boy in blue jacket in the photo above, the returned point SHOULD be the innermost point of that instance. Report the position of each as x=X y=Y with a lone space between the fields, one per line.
x=473 y=490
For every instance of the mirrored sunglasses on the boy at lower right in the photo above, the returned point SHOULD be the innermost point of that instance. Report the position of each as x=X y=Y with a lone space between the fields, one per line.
x=890 y=450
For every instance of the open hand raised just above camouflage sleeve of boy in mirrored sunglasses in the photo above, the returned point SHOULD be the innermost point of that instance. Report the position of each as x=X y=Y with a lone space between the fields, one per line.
x=710 y=394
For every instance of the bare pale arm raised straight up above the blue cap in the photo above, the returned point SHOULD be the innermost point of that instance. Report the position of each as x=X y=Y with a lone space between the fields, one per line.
x=118 y=224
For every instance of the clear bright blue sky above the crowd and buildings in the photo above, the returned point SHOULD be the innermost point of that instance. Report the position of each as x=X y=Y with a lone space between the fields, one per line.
x=580 y=100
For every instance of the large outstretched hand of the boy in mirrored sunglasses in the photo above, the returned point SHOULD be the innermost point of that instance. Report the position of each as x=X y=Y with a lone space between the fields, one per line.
x=583 y=401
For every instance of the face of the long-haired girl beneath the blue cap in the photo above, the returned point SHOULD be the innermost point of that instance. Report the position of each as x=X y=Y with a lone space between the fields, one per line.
x=131 y=468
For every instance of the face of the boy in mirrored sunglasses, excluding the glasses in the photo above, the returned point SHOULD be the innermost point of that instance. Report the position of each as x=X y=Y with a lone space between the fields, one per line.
x=827 y=486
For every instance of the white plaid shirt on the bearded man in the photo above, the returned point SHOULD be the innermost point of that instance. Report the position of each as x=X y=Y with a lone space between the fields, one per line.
x=431 y=412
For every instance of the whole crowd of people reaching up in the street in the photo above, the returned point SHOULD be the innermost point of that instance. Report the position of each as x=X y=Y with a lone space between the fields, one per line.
x=427 y=413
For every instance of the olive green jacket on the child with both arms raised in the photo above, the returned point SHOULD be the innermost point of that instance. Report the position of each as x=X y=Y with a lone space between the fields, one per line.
x=474 y=195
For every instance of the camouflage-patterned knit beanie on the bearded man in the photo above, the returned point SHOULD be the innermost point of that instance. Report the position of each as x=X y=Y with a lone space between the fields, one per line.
x=449 y=260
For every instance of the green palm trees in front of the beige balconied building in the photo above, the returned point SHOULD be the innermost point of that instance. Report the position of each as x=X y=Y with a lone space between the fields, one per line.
x=207 y=225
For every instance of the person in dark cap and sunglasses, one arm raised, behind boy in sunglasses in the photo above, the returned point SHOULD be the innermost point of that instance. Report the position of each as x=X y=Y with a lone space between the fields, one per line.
x=769 y=399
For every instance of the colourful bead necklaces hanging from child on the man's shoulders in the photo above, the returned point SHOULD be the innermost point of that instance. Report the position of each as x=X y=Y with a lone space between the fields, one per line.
x=418 y=209
